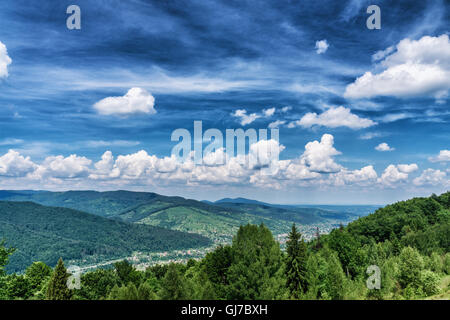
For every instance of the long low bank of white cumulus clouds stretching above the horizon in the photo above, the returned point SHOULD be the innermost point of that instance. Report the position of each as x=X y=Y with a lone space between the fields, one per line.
x=315 y=167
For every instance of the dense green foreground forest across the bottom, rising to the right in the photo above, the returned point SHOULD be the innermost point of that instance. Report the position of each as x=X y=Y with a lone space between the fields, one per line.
x=408 y=241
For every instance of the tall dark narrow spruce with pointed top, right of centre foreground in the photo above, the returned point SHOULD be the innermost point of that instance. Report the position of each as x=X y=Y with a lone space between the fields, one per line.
x=296 y=263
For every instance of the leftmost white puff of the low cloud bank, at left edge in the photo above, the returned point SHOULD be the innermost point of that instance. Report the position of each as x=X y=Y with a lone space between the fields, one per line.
x=12 y=164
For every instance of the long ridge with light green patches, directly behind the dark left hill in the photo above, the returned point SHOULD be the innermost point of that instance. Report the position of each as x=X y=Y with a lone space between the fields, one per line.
x=176 y=213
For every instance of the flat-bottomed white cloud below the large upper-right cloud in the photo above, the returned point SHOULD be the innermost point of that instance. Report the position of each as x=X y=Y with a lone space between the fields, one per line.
x=333 y=118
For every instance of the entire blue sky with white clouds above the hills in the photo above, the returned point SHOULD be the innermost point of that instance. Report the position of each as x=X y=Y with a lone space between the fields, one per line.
x=381 y=95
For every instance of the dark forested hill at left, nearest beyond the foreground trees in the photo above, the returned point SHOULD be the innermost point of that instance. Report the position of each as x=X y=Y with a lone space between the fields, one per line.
x=42 y=233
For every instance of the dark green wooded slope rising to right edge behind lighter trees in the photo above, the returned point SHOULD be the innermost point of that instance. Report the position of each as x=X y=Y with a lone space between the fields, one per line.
x=420 y=223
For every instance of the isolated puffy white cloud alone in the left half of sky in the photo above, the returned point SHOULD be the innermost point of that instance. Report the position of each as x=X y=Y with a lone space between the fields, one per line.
x=136 y=100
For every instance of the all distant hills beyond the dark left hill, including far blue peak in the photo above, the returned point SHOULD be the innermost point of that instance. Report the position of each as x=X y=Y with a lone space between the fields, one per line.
x=218 y=221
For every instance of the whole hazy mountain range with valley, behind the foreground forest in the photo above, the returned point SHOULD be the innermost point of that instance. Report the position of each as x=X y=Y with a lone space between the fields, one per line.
x=92 y=226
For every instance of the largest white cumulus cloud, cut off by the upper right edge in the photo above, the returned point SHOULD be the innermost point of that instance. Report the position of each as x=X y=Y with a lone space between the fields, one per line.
x=415 y=68
